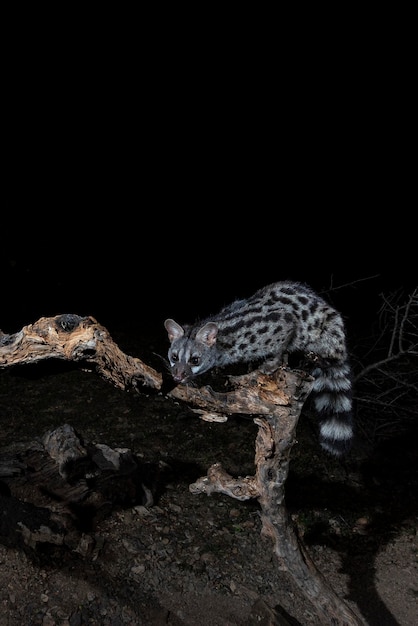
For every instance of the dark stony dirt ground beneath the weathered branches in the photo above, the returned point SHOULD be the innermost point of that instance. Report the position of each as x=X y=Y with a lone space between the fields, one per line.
x=184 y=559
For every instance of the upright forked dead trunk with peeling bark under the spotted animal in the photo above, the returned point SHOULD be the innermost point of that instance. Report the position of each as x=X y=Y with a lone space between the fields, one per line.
x=276 y=401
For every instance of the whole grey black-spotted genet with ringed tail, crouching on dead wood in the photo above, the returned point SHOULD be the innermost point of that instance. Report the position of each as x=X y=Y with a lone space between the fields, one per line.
x=279 y=319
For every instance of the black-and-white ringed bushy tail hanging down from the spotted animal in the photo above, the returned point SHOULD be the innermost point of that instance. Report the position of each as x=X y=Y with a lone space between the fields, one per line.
x=331 y=395
